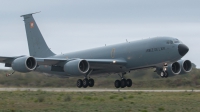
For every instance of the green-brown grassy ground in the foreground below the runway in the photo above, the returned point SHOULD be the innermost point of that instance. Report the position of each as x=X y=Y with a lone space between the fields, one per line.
x=137 y=101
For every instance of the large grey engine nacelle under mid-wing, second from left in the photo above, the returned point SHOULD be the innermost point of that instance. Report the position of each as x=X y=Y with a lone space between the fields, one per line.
x=76 y=67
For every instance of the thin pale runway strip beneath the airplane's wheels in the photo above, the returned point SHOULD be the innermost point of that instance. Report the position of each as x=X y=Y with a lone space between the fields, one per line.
x=91 y=90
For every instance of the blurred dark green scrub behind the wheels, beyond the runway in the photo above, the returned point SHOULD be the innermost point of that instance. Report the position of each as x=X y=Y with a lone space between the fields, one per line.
x=141 y=79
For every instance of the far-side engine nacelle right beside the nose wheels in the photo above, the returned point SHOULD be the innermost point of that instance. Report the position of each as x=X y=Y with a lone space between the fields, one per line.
x=174 y=69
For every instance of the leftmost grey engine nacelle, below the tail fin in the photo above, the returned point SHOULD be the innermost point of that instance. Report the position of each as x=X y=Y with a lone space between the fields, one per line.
x=24 y=64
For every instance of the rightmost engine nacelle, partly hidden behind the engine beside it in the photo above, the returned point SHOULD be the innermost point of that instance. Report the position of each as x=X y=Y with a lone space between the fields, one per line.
x=186 y=66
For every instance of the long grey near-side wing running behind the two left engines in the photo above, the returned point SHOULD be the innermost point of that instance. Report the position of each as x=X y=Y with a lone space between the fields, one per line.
x=94 y=63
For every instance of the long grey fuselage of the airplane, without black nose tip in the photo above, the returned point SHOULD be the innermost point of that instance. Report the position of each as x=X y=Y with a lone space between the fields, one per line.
x=151 y=52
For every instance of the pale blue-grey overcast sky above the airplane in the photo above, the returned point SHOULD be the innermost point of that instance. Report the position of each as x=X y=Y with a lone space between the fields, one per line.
x=74 y=25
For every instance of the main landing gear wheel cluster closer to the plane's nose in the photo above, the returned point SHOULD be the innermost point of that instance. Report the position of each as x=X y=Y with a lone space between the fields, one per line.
x=123 y=82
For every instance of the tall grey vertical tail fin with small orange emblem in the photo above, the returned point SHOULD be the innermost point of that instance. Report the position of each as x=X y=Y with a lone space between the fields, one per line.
x=36 y=43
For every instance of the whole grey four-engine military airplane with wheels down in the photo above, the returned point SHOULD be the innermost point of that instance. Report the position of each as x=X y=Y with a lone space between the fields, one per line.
x=162 y=53
